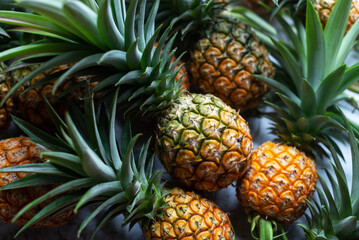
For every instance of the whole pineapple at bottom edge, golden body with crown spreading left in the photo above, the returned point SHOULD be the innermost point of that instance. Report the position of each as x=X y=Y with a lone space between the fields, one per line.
x=117 y=181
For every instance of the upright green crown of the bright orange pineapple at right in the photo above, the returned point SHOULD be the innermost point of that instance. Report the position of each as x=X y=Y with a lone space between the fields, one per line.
x=311 y=76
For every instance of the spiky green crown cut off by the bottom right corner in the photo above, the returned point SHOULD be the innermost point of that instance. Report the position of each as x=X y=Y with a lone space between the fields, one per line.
x=335 y=213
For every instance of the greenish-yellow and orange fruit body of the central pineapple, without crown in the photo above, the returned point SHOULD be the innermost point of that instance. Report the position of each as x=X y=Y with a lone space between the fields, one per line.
x=202 y=142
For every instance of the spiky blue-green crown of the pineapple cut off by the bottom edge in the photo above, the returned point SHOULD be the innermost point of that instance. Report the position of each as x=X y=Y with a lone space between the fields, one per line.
x=84 y=158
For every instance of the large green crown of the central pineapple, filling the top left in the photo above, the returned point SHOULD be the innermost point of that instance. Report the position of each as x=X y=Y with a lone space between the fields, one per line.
x=118 y=40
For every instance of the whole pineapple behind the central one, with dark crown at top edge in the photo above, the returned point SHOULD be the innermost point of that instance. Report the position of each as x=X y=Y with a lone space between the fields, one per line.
x=225 y=55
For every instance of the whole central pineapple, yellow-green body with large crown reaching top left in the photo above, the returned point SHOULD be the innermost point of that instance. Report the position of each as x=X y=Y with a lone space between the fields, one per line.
x=142 y=67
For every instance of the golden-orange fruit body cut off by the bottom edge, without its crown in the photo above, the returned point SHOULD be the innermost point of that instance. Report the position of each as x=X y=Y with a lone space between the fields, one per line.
x=189 y=216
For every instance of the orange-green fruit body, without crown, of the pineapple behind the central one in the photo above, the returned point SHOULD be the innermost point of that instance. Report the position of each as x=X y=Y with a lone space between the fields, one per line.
x=223 y=61
